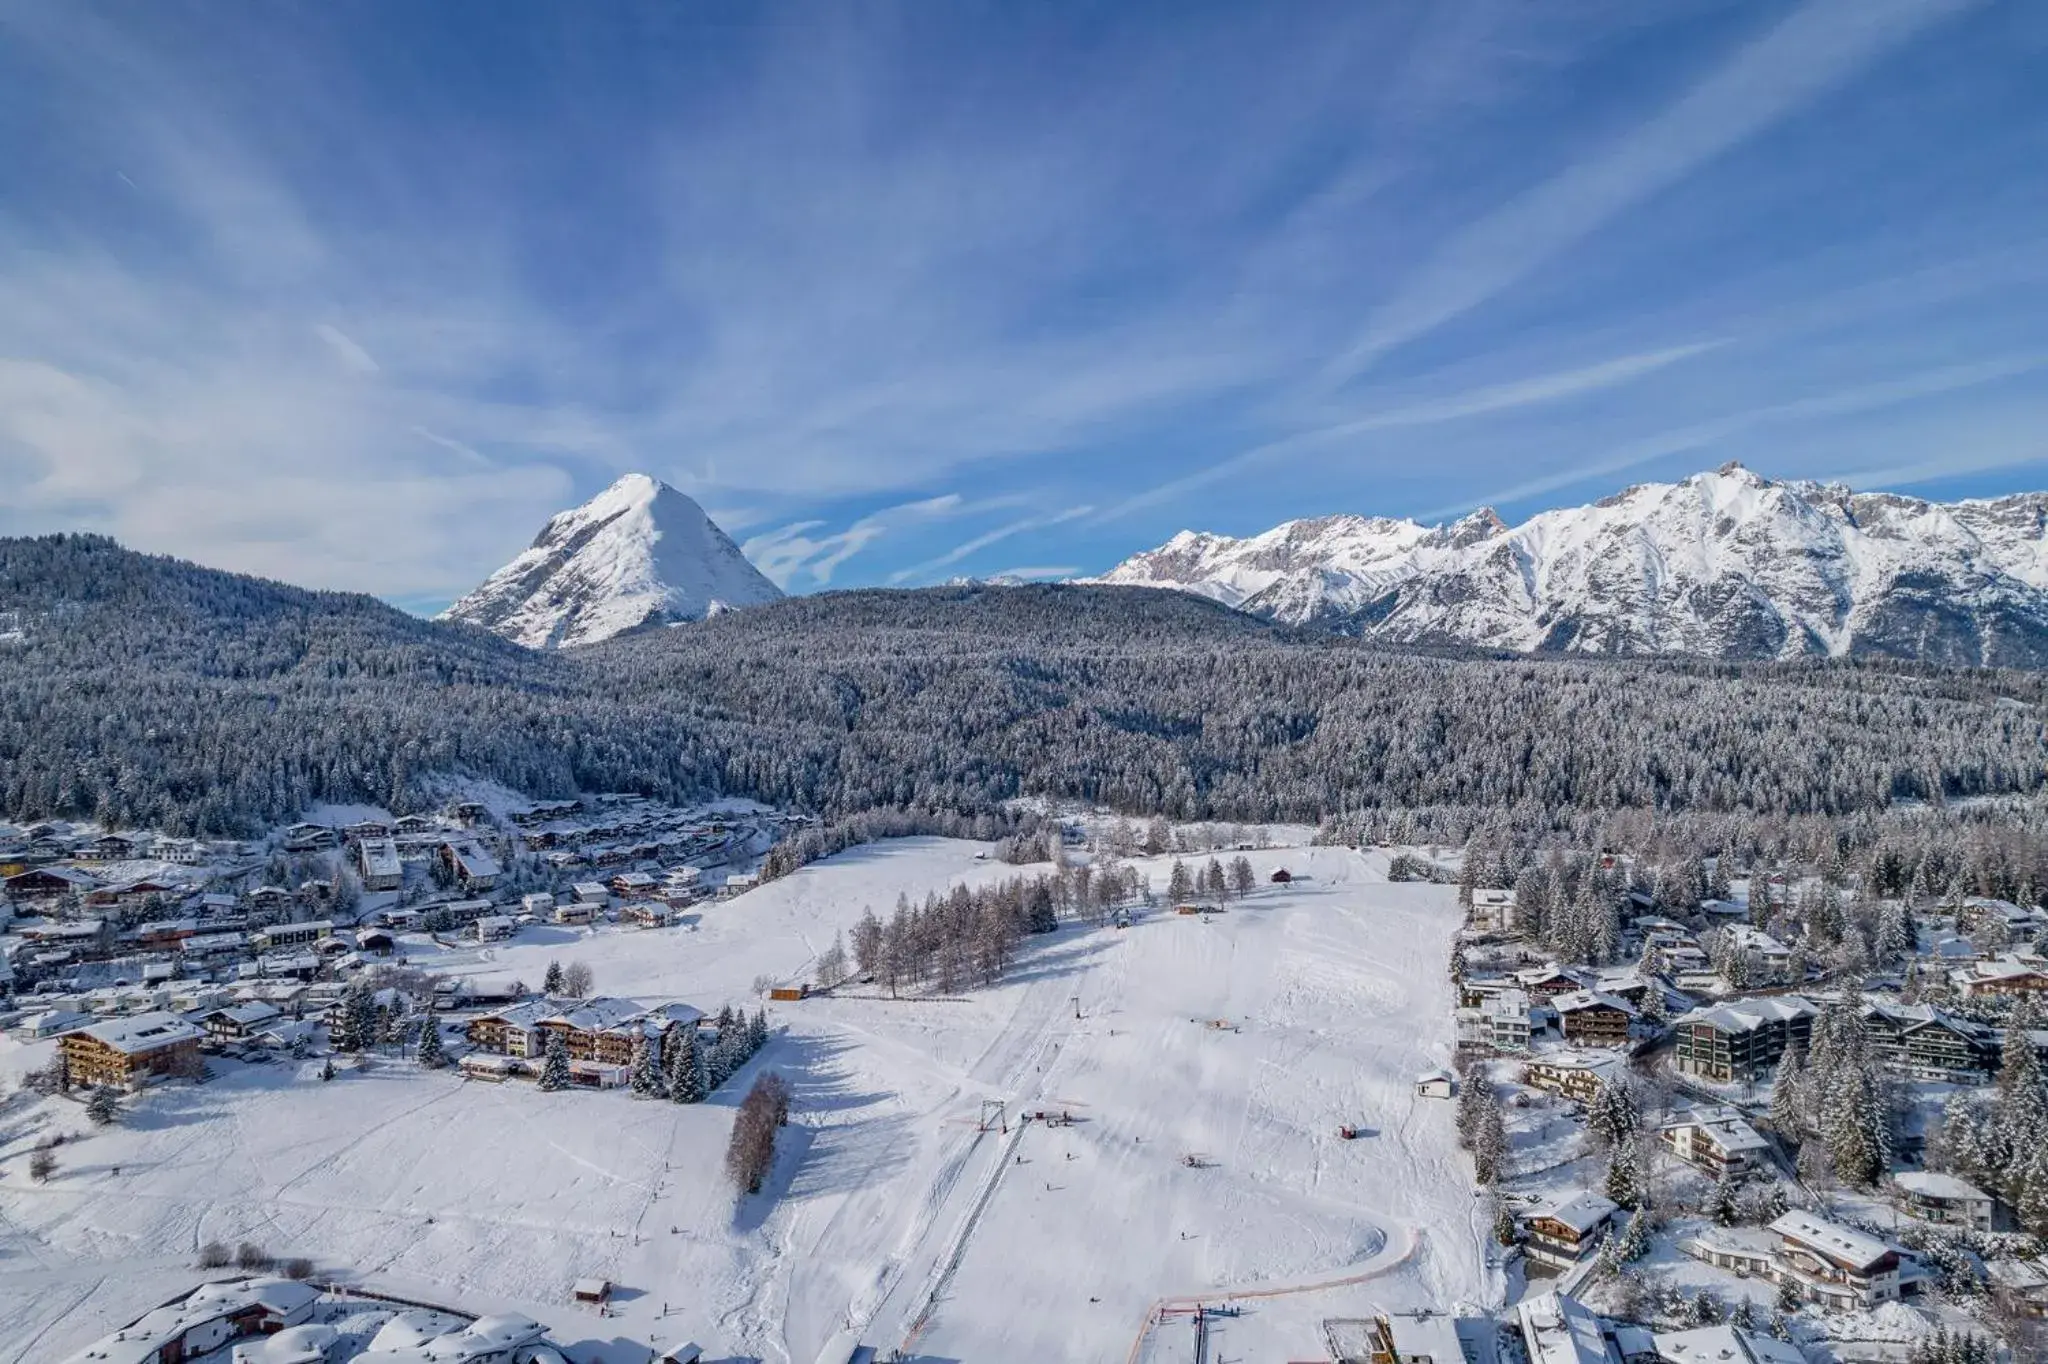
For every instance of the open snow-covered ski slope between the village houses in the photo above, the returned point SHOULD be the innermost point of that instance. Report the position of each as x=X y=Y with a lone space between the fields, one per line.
x=1201 y=1070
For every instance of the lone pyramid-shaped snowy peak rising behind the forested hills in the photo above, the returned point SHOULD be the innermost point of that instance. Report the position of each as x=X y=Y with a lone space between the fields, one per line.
x=636 y=556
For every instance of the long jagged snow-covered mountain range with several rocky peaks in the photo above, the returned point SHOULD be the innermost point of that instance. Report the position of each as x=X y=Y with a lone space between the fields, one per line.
x=1723 y=564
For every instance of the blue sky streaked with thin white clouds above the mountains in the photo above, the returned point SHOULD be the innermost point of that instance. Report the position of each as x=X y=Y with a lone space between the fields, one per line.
x=357 y=296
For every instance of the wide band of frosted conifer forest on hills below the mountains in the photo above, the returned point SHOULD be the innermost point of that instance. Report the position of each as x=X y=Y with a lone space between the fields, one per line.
x=148 y=691
